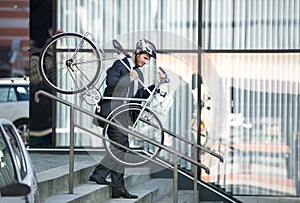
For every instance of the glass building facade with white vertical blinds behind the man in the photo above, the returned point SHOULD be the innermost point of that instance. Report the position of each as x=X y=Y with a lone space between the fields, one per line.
x=239 y=58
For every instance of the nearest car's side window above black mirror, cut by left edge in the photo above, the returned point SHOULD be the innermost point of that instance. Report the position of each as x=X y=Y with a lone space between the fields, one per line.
x=7 y=171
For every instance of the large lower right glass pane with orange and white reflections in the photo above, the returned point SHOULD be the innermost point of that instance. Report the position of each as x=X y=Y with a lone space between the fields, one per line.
x=258 y=94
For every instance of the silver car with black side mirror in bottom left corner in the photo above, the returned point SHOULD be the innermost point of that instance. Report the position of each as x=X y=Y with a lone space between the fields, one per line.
x=18 y=182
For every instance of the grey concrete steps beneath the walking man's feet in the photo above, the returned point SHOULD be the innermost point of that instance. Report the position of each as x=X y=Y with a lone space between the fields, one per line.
x=54 y=187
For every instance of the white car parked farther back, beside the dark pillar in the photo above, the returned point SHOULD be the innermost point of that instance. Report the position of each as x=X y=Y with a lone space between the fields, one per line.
x=14 y=104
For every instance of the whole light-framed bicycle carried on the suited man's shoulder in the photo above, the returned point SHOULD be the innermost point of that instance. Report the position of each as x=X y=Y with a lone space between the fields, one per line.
x=71 y=63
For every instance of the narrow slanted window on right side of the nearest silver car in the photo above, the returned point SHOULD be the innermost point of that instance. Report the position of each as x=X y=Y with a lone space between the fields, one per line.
x=19 y=156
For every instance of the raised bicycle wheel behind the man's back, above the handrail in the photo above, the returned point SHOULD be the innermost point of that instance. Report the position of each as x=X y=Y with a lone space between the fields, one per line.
x=70 y=63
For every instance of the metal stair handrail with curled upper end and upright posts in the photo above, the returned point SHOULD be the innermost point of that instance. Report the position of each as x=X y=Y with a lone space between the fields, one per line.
x=136 y=134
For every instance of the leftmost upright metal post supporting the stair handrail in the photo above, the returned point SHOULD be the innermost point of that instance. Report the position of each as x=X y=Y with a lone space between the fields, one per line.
x=71 y=153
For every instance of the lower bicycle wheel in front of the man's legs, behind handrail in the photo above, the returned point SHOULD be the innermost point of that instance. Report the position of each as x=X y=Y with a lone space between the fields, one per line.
x=133 y=118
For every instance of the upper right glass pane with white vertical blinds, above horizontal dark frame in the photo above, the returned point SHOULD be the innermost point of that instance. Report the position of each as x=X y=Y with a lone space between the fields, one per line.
x=248 y=25
